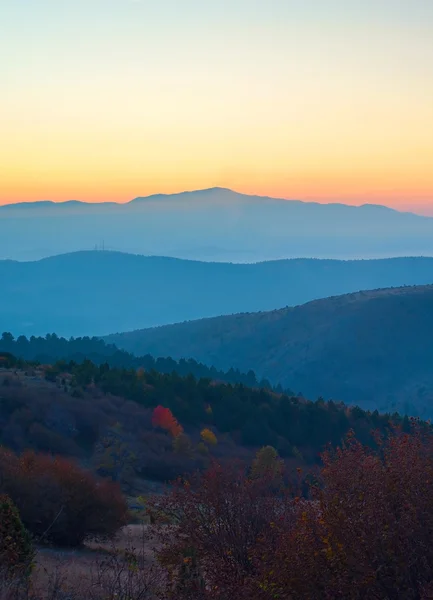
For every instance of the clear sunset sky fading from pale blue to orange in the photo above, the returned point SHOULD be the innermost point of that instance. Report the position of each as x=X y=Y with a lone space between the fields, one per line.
x=324 y=100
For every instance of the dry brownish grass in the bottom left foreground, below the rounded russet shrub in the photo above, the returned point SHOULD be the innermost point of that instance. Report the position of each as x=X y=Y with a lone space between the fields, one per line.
x=123 y=569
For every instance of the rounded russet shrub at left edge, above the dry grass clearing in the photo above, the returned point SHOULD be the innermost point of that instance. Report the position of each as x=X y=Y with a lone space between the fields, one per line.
x=58 y=501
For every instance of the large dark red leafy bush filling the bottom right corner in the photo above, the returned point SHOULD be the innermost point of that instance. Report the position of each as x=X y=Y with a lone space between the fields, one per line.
x=367 y=531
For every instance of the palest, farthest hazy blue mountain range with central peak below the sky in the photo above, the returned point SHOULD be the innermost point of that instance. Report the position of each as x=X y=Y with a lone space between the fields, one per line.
x=216 y=225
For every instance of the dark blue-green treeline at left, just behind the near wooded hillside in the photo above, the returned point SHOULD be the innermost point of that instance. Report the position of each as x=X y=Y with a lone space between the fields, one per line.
x=51 y=348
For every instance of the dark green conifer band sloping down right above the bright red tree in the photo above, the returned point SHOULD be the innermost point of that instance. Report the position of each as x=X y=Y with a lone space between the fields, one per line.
x=251 y=417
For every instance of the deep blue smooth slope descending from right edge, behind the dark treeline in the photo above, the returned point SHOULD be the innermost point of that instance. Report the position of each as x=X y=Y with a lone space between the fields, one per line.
x=371 y=348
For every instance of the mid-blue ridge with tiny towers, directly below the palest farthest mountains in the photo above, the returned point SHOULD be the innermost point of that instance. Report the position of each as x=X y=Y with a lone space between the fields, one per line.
x=97 y=293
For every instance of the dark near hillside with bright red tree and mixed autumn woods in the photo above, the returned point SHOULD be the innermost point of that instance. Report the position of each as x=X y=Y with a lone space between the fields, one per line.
x=109 y=416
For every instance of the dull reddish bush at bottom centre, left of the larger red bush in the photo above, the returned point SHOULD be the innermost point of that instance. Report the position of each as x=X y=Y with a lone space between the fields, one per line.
x=219 y=516
